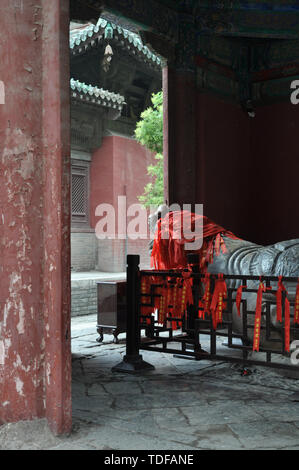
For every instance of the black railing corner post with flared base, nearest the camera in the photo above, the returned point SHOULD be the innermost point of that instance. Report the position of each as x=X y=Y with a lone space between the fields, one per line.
x=132 y=361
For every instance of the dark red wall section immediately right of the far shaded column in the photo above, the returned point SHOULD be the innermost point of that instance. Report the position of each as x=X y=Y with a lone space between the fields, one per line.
x=223 y=134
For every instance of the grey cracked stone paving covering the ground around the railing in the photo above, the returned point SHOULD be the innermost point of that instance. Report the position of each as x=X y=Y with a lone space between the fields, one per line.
x=182 y=405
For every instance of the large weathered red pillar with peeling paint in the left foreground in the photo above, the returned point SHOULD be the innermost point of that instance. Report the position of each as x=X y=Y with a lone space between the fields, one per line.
x=35 y=371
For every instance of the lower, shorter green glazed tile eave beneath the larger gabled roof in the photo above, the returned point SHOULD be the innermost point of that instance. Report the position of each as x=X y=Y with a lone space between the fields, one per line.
x=95 y=95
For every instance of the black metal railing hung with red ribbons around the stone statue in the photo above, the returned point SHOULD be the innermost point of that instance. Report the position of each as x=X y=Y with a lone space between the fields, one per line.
x=186 y=342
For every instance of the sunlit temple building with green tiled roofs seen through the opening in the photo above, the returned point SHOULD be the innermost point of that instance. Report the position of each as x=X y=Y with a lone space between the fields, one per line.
x=113 y=78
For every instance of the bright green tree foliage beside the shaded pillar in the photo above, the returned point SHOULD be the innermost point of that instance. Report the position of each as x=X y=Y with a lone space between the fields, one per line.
x=149 y=132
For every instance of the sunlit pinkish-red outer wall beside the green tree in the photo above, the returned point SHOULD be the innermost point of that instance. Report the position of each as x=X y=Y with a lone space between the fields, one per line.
x=119 y=168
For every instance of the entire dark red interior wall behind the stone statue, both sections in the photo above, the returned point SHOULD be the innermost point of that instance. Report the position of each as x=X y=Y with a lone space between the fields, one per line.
x=247 y=169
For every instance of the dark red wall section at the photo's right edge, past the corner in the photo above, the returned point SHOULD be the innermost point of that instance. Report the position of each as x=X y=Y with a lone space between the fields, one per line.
x=275 y=163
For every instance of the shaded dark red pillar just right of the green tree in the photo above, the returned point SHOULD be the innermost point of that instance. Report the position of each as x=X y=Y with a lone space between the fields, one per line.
x=179 y=89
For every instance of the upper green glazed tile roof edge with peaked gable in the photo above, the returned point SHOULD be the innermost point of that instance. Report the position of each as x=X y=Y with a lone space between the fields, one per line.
x=81 y=39
